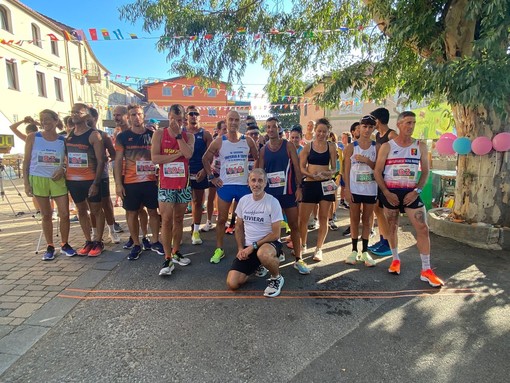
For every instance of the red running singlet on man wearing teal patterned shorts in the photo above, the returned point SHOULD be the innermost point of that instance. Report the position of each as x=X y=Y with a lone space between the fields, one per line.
x=173 y=175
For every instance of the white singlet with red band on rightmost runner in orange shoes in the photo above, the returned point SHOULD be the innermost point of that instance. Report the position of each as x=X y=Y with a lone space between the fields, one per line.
x=402 y=165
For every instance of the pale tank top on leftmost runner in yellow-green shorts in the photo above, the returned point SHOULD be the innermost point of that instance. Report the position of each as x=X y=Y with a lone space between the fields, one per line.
x=47 y=156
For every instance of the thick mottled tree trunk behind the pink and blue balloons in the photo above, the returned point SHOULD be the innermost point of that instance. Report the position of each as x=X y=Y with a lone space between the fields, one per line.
x=482 y=192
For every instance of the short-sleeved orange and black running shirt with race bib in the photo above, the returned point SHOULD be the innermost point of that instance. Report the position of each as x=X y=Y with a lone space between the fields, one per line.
x=138 y=166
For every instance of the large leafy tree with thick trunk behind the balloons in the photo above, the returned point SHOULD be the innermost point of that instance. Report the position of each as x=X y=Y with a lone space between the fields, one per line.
x=456 y=50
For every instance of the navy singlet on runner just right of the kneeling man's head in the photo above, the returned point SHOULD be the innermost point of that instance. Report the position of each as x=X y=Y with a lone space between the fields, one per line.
x=281 y=179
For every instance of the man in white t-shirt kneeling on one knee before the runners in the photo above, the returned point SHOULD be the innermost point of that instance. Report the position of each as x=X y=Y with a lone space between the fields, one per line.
x=257 y=232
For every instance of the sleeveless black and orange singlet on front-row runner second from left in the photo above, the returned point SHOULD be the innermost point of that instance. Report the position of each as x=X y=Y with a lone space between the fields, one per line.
x=81 y=158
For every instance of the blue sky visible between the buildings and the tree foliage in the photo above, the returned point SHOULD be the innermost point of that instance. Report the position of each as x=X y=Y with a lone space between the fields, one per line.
x=136 y=58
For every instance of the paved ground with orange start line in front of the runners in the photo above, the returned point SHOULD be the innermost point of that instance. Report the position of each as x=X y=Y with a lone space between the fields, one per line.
x=111 y=320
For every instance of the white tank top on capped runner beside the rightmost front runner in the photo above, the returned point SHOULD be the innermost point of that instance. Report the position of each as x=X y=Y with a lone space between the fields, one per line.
x=361 y=178
